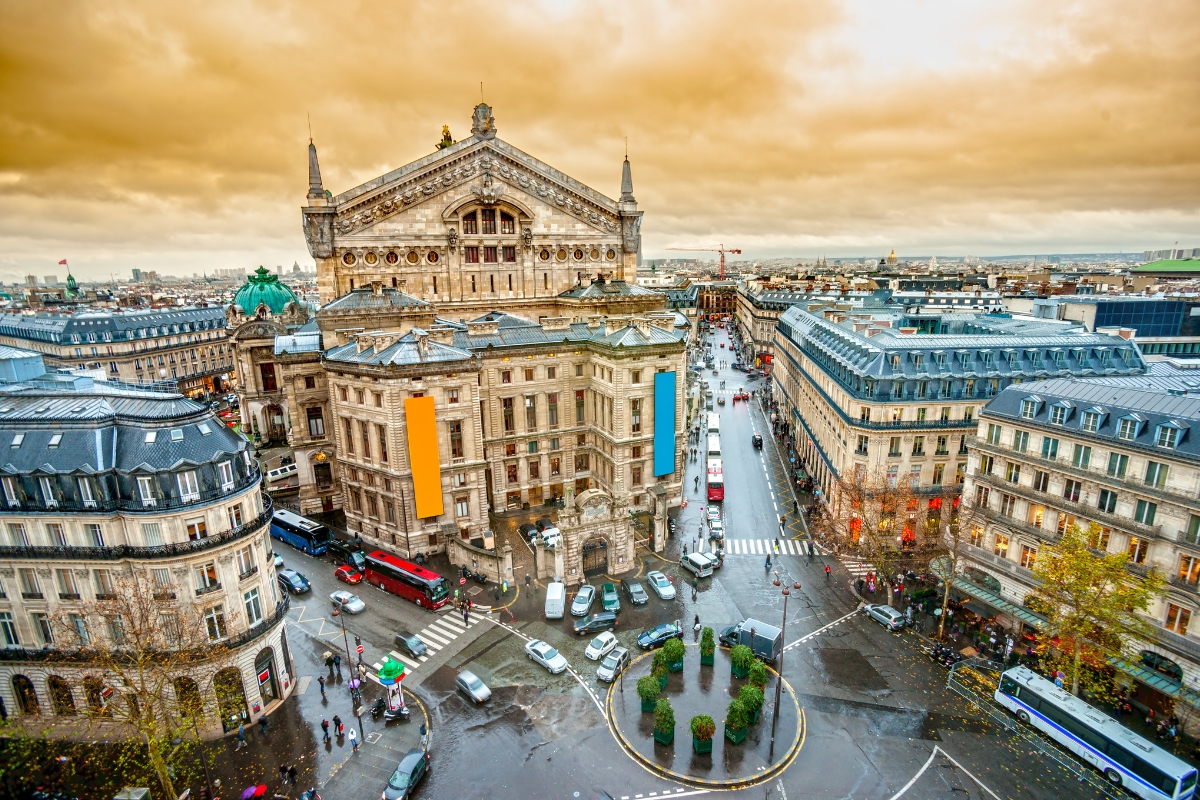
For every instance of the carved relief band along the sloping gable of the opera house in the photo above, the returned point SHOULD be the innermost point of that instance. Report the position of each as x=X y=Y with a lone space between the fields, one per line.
x=442 y=178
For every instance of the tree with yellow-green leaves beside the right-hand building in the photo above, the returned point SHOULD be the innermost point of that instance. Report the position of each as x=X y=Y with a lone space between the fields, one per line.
x=1095 y=604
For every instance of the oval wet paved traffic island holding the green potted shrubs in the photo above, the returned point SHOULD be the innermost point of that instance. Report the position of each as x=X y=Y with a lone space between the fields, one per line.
x=704 y=690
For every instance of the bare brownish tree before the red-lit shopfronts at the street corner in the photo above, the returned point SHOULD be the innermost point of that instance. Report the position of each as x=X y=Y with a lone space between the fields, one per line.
x=890 y=524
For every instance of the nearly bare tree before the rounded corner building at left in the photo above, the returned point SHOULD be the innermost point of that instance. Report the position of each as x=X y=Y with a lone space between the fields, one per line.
x=142 y=659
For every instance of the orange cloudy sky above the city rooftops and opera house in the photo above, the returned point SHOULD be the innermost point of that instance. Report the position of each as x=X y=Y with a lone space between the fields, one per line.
x=172 y=136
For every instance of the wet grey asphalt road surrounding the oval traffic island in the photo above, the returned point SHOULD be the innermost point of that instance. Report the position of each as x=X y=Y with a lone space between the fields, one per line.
x=880 y=718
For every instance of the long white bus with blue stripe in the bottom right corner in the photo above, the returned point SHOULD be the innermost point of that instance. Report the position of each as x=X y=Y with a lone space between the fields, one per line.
x=1124 y=757
